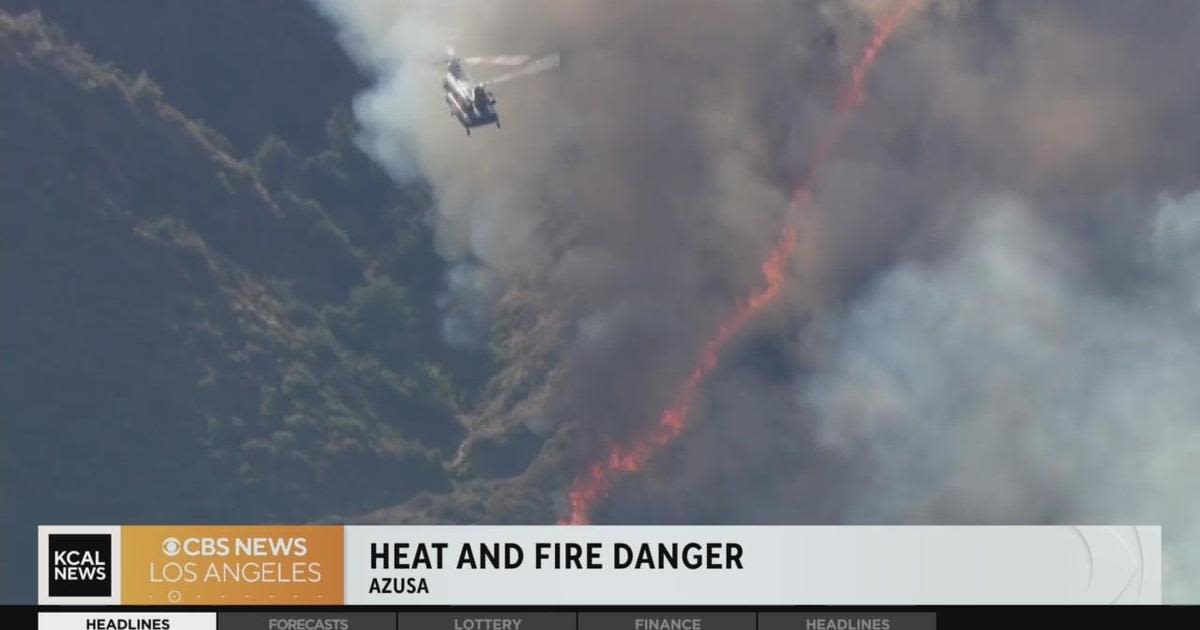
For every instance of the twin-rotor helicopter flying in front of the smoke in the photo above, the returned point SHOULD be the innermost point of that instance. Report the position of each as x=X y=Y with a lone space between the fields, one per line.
x=472 y=103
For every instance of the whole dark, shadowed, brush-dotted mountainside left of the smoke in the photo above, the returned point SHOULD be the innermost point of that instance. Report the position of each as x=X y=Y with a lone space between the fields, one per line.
x=201 y=327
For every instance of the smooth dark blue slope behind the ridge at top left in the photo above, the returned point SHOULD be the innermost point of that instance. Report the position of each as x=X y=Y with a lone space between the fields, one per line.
x=278 y=70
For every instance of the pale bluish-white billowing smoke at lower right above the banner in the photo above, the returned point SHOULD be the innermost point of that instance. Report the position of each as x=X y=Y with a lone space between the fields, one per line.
x=1005 y=383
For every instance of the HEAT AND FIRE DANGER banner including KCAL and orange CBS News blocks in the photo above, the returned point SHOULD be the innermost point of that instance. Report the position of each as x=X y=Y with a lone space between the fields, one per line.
x=597 y=566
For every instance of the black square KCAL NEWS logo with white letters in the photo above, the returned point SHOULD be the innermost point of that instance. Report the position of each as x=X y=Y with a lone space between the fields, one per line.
x=81 y=566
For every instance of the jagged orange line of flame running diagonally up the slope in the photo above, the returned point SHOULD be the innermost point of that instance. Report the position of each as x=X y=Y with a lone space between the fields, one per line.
x=596 y=484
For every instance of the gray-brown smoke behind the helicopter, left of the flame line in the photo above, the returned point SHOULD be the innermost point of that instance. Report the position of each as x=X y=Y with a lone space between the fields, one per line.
x=633 y=190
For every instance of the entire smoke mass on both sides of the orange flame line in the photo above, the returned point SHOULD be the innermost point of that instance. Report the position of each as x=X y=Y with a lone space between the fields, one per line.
x=993 y=316
